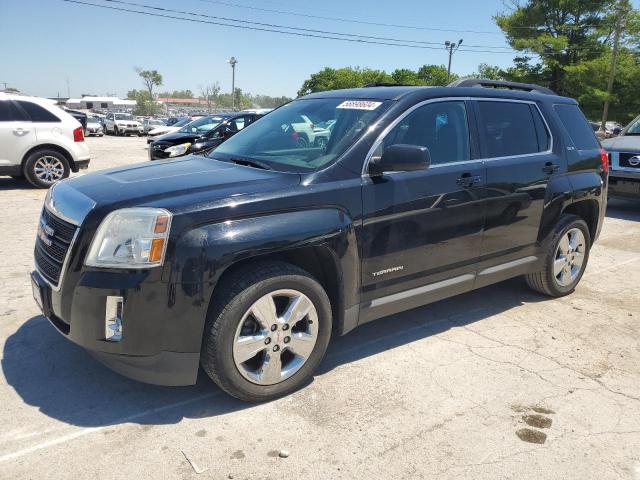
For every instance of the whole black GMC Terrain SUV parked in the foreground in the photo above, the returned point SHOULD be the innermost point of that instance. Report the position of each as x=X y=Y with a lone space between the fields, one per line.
x=248 y=260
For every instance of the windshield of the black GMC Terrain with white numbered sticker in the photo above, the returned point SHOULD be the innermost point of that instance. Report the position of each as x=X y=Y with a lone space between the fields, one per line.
x=304 y=135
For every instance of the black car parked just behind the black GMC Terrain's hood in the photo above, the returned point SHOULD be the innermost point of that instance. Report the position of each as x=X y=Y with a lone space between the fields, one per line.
x=201 y=135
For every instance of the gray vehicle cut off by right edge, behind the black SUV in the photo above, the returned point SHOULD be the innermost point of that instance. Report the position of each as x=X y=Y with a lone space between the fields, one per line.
x=624 y=158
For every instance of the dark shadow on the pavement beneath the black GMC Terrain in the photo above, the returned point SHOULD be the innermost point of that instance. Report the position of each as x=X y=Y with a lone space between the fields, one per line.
x=64 y=382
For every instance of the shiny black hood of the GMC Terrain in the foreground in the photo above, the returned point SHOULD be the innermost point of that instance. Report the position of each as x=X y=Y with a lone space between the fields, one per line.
x=178 y=184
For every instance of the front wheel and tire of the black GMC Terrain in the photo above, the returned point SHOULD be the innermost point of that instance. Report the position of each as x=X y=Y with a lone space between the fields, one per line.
x=230 y=313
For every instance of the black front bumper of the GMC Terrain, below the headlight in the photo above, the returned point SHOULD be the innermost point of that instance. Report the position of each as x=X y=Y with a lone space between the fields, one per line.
x=152 y=349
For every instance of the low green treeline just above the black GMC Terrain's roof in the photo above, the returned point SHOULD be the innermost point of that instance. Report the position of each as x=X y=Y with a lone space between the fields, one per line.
x=354 y=77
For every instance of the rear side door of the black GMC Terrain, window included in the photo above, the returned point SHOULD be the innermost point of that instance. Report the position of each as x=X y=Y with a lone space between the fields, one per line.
x=520 y=161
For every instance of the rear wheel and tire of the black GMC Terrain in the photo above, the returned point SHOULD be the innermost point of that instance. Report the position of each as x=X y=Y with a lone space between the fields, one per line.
x=547 y=280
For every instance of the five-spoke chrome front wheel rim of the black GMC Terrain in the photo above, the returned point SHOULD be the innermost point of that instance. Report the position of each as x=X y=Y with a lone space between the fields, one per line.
x=275 y=337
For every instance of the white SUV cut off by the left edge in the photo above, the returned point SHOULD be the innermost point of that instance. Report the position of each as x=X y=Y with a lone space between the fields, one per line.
x=39 y=141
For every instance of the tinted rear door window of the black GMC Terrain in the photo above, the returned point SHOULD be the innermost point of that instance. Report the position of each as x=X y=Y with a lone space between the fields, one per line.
x=508 y=129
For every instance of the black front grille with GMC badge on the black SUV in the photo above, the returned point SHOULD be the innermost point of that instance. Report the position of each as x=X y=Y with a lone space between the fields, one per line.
x=52 y=245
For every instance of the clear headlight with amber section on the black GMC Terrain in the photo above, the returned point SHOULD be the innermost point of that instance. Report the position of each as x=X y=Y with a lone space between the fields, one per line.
x=131 y=238
